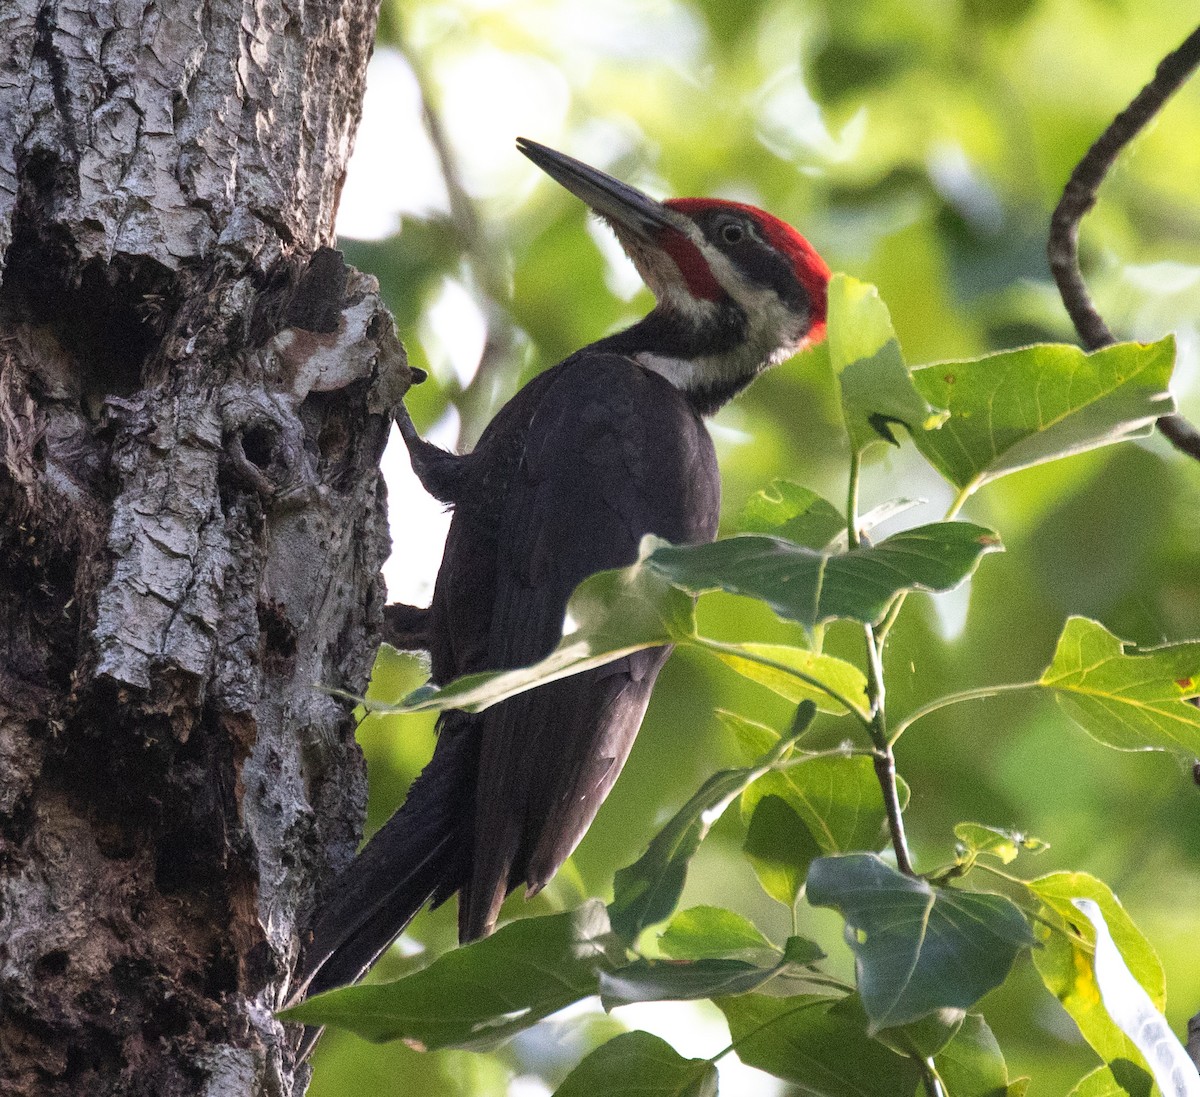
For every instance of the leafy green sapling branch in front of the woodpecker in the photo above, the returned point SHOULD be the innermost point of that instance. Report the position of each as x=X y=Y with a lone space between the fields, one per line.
x=927 y=949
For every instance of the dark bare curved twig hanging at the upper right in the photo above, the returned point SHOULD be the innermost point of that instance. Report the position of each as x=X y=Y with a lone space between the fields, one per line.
x=1079 y=196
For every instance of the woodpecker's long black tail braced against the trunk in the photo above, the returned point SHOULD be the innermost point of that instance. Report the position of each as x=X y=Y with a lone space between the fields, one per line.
x=416 y=858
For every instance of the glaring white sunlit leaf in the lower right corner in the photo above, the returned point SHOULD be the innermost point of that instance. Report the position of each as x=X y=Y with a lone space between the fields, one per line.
x=1135 y=1014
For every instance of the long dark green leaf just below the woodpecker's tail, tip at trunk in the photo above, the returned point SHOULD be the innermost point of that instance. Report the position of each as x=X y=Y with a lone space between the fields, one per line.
x=482 y=994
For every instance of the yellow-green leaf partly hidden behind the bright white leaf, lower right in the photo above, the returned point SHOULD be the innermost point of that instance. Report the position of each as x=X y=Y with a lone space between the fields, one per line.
x=1065 y=962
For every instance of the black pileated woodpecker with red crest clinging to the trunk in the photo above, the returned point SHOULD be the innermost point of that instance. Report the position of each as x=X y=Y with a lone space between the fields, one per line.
x=585 y=460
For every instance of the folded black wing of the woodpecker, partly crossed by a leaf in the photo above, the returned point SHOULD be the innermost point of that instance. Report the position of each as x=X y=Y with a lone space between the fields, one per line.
x=611 y=453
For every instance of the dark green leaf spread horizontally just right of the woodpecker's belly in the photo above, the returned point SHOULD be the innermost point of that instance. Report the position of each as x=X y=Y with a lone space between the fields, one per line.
x=811 y=588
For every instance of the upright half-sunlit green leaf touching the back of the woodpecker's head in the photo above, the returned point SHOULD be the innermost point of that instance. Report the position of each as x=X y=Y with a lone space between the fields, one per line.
x=877 y=387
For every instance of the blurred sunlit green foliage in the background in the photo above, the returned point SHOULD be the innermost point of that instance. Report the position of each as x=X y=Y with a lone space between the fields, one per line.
x=921 y=147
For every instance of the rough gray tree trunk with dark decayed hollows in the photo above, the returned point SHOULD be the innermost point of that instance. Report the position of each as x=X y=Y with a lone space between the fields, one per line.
x=194 y=400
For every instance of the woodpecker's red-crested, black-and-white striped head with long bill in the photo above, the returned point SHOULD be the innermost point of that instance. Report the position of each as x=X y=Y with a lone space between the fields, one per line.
x=737 y=289
